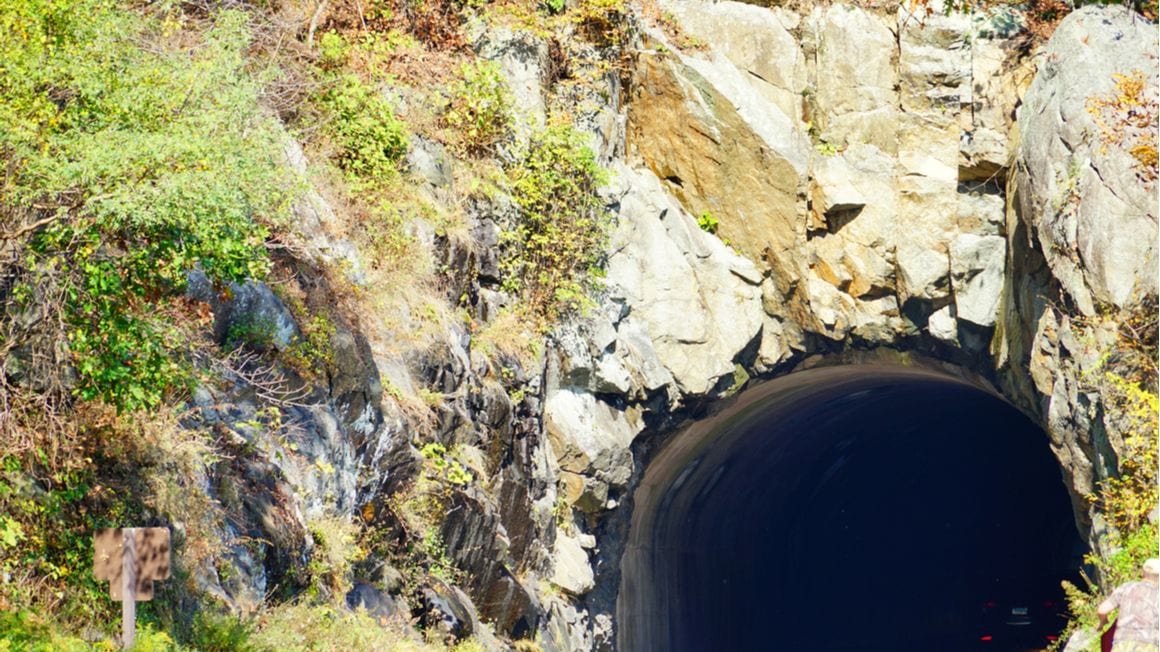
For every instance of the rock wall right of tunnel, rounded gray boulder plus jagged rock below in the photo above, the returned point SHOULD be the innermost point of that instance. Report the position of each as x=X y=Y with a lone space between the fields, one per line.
x=1083 y=228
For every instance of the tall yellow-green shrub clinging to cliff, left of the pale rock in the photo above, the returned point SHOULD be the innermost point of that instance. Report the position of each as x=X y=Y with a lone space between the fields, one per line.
x=553 y=256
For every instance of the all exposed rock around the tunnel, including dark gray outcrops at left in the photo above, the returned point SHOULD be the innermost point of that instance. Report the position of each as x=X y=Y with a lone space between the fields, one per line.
x=867 y=192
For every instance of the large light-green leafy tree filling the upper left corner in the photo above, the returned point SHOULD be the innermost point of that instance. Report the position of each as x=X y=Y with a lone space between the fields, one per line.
x=141 y=162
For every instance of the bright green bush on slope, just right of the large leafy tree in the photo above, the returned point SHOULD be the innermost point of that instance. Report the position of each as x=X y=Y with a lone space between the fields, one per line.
x=371 y=140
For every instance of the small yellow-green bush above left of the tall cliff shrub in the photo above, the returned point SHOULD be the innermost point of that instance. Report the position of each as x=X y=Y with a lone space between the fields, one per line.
x=480 y=107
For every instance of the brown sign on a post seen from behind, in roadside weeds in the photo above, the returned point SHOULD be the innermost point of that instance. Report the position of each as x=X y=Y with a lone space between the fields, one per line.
x=132 y=560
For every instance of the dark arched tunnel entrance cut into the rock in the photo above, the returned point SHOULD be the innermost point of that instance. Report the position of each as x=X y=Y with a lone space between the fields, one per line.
x=852 y=509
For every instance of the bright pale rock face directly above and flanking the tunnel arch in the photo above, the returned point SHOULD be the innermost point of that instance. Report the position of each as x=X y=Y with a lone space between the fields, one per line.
x=894 y=215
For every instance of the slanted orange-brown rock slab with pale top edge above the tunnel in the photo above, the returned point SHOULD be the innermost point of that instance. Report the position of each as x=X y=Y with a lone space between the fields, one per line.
x=734 y=157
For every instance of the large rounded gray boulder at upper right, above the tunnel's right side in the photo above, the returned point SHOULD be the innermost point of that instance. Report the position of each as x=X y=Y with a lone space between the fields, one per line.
x=1094 y=216
